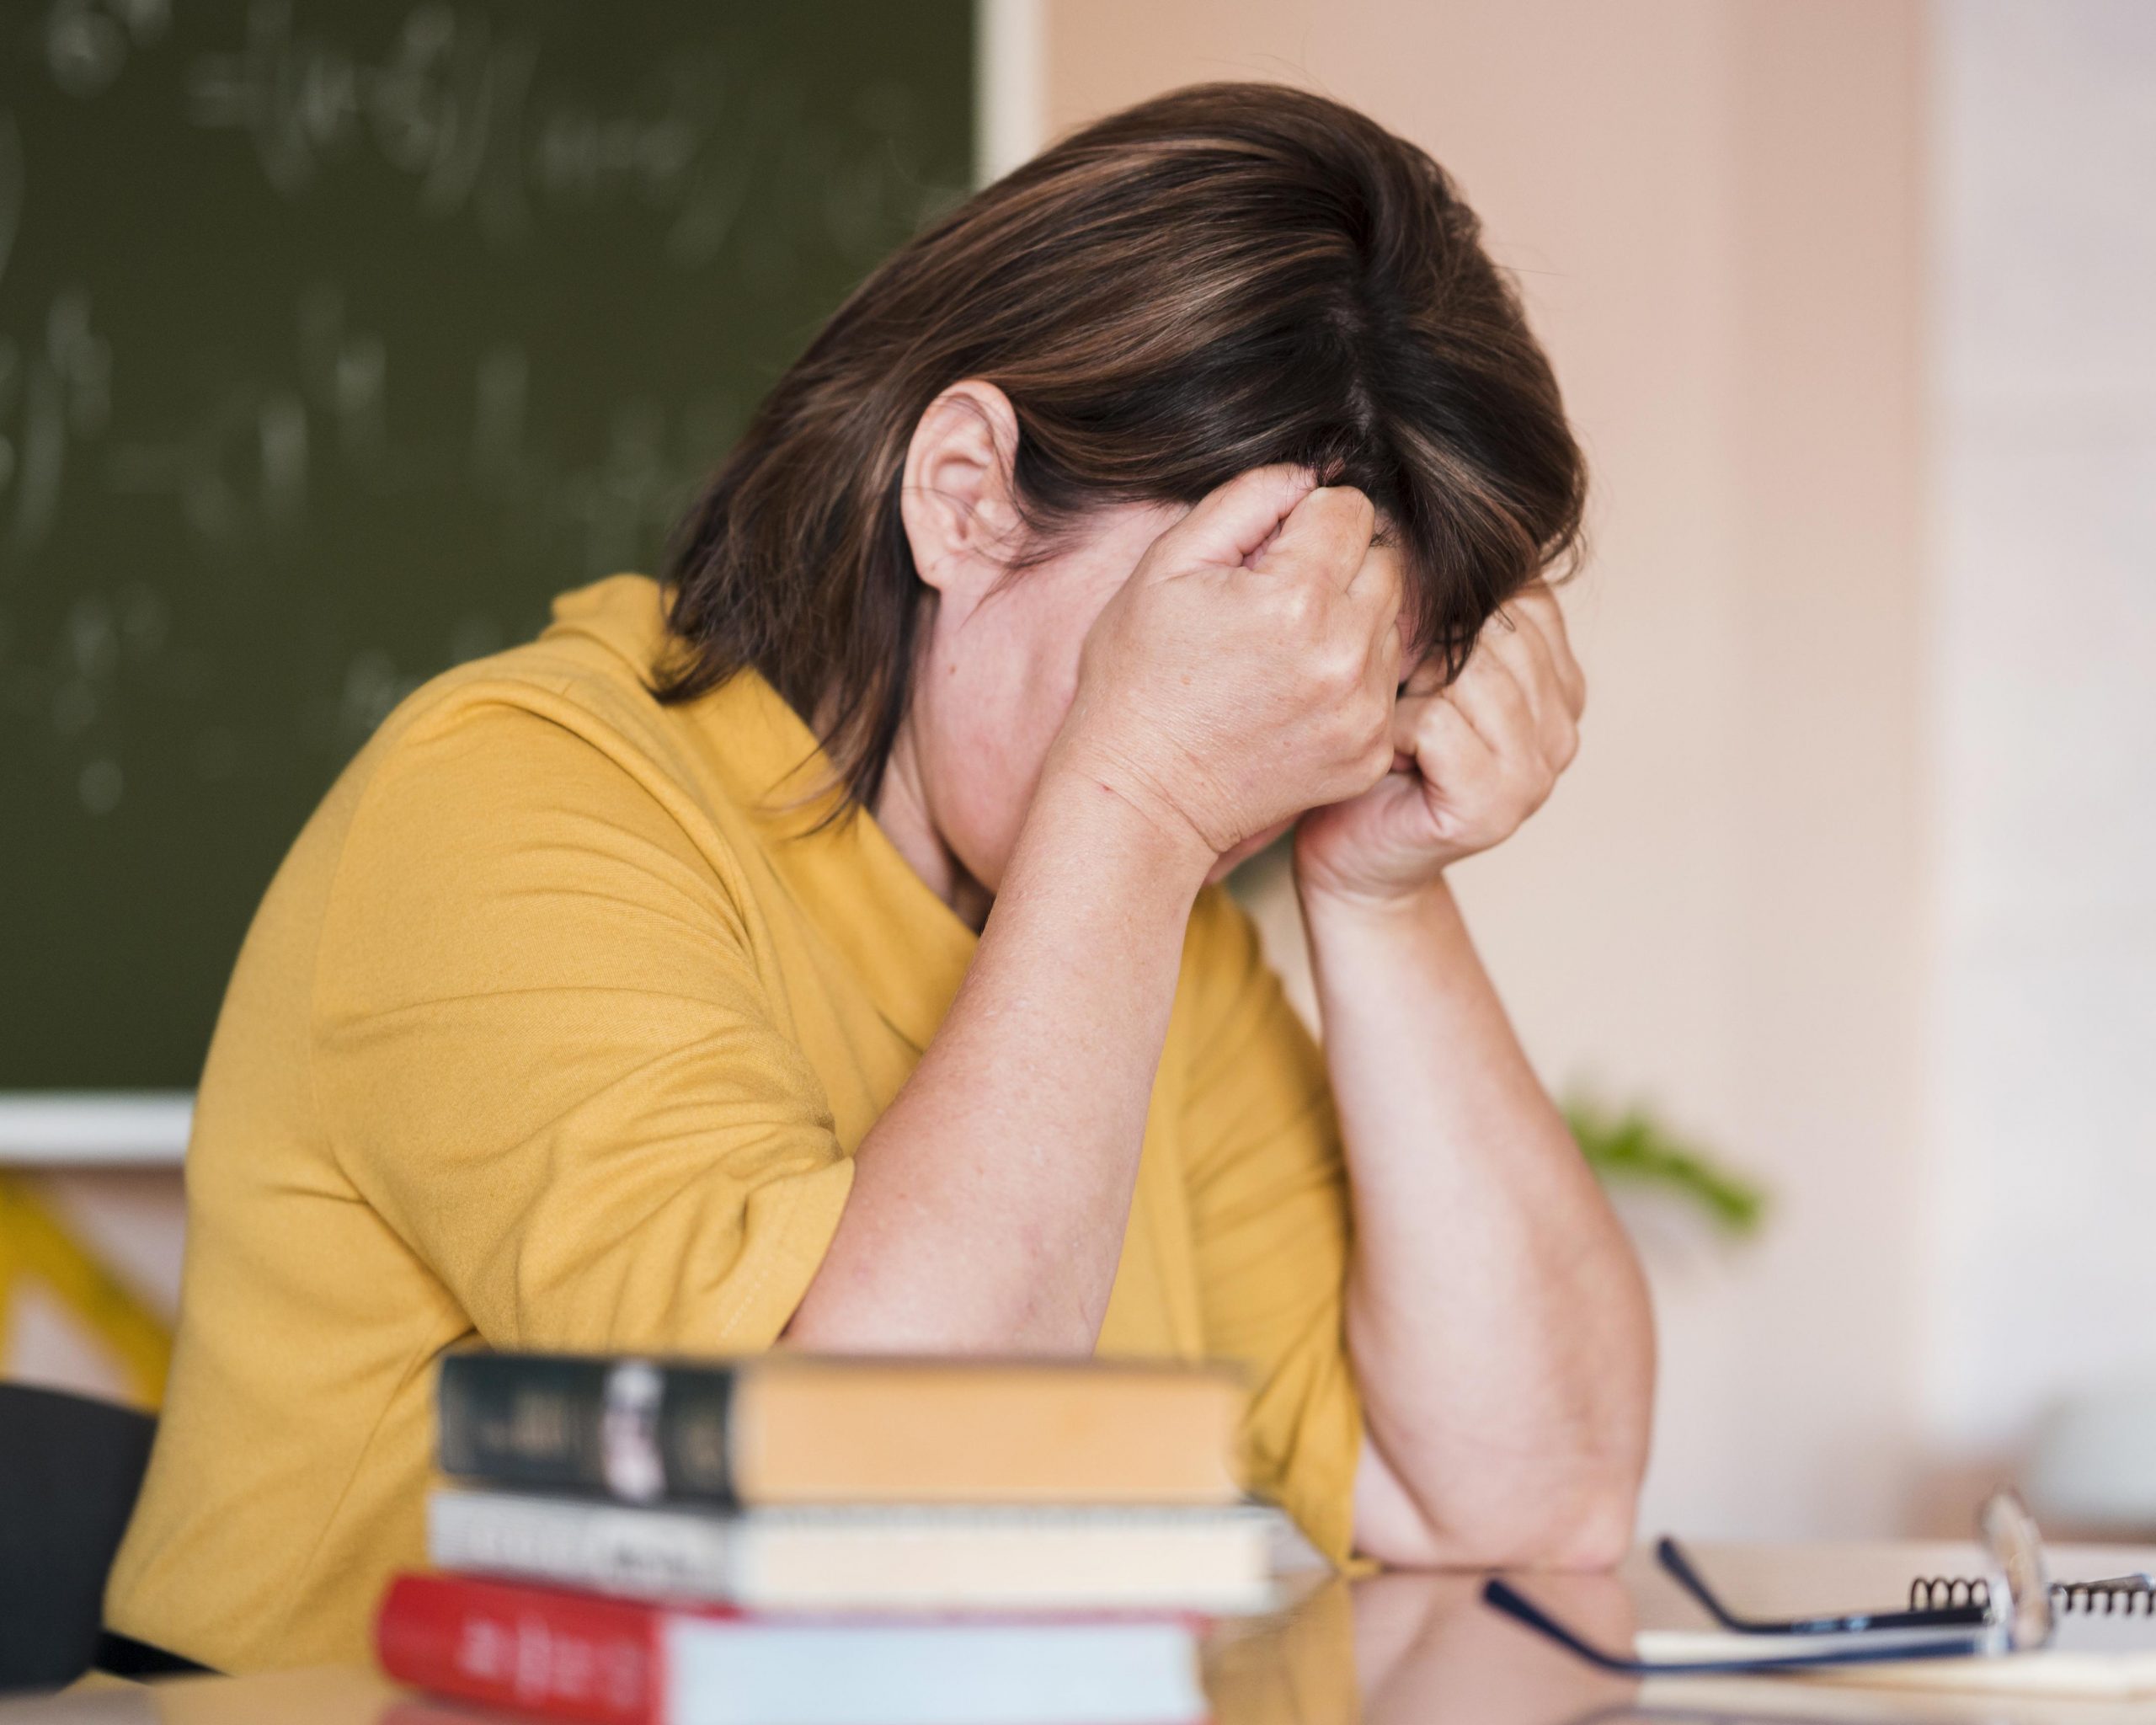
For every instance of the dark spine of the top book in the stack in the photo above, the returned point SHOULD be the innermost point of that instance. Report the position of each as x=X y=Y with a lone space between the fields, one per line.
x=624 y=1429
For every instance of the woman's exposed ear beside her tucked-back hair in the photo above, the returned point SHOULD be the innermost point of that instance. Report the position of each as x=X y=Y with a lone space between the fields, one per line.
x=958 y=499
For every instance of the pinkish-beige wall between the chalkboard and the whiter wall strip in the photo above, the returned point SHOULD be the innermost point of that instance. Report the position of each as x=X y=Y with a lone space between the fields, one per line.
x=1715 y=215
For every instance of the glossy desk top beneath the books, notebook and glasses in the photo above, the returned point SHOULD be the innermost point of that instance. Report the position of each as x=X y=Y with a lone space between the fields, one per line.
x=1390 y=1651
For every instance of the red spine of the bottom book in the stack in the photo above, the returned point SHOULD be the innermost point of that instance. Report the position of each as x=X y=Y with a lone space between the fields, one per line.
x=525 y=1648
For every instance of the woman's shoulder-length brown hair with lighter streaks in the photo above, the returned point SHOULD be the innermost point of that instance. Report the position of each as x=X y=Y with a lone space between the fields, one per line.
x=1213 y=281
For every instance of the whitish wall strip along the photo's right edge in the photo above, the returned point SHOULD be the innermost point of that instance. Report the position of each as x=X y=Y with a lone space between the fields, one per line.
x=2045 y=721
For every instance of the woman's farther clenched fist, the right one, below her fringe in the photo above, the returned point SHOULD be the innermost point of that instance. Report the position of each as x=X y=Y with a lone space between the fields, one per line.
x=1471 y=762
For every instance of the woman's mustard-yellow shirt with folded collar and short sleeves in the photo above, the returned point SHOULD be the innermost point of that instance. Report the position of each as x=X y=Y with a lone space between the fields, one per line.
x=559 y=1030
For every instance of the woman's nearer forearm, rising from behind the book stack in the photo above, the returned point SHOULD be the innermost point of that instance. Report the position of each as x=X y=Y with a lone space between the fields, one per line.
x=991 y=1200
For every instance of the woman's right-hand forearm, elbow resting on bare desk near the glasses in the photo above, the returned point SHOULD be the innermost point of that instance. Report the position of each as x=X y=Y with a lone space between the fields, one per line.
x=1497 y=1316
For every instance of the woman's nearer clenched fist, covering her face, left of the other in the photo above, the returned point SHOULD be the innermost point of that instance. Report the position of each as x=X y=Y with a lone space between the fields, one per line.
x=1247 y=670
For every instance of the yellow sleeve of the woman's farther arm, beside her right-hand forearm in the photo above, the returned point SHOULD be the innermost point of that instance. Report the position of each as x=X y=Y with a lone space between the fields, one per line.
x=1269 y=1202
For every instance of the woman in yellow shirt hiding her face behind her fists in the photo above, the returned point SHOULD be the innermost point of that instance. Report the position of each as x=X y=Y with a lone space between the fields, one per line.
x=825 y=950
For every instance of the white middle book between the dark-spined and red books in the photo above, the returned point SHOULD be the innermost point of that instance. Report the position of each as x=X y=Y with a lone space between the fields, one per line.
x=870 y=1558
